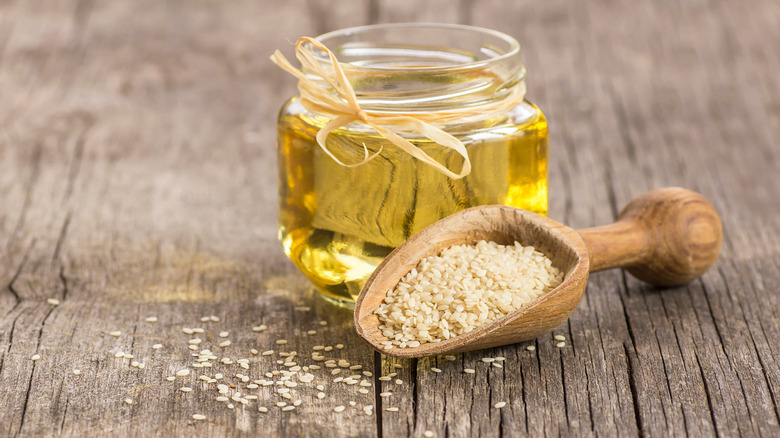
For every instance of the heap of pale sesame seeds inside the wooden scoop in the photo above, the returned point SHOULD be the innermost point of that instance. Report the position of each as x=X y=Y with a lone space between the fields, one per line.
x=463 y=288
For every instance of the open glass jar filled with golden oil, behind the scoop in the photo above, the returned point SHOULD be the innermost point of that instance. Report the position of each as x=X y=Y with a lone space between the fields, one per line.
x=337 y=222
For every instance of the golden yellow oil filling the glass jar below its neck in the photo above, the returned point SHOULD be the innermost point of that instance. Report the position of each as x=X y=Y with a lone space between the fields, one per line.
x=337 y=223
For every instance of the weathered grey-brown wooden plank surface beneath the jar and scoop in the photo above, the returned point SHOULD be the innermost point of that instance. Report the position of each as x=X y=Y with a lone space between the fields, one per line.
x=138 y=179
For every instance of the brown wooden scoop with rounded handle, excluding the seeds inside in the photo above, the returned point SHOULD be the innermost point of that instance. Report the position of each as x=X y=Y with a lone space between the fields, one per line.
x=666 y=237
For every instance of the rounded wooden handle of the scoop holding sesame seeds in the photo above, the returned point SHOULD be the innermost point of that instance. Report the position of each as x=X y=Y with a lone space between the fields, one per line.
x=666 y=237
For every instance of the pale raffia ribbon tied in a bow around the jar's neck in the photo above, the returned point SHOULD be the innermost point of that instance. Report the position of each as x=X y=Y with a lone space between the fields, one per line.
x=343 y=106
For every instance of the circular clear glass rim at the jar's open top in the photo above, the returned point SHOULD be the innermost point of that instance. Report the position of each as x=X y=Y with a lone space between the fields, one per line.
x=512 y=50
